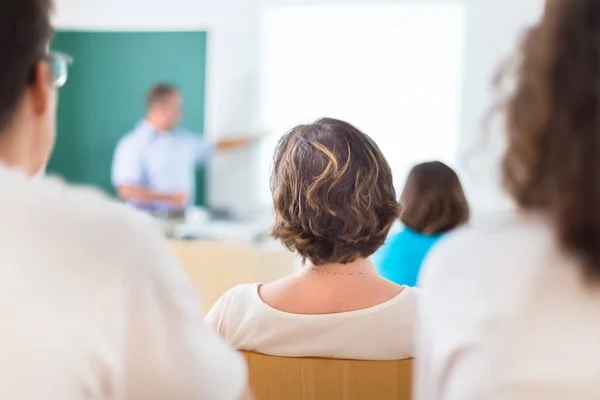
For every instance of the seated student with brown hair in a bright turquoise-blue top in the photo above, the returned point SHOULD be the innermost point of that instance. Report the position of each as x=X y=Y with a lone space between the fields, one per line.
x=433 y=203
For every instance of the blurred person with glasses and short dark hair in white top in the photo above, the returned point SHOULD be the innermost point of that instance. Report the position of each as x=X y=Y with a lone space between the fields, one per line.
x=93 y=303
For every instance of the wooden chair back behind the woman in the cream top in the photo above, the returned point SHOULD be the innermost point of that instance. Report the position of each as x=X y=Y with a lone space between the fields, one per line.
x=278 y=378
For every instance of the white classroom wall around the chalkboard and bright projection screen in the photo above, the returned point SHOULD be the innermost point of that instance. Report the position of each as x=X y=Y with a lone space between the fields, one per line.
x=233 y=92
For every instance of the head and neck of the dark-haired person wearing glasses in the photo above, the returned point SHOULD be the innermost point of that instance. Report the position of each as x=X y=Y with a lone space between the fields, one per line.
x=27 y=90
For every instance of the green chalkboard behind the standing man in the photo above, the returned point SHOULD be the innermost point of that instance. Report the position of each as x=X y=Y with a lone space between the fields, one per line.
x=104 y=97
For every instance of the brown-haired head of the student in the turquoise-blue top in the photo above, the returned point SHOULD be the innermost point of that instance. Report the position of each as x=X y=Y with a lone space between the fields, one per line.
x=433 y=201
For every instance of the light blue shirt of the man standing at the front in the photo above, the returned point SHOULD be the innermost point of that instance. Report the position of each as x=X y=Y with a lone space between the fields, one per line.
x=163 y=162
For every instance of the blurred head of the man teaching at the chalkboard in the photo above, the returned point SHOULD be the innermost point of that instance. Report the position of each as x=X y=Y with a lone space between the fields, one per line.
x=165 y=106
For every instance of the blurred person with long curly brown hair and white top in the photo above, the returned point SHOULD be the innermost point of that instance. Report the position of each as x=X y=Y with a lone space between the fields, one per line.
x=511 y=307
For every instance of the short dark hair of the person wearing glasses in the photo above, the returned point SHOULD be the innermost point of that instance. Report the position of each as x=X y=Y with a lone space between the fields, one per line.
x=25 y=31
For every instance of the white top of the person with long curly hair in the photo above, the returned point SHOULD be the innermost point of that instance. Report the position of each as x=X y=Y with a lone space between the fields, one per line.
x=505 y=315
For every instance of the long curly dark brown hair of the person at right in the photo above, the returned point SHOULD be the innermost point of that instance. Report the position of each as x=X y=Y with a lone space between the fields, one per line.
x=552 y=164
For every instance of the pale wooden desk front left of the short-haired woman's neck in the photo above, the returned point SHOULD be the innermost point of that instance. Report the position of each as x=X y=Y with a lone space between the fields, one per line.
x=216 y=267
